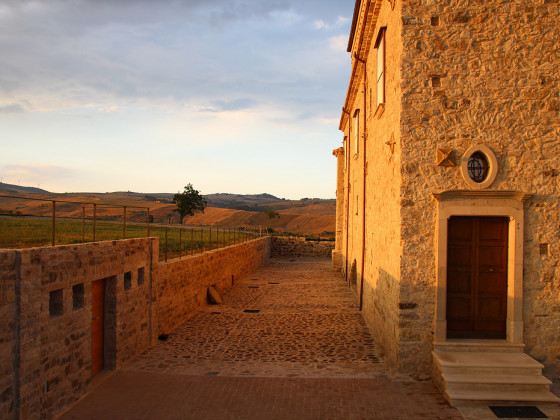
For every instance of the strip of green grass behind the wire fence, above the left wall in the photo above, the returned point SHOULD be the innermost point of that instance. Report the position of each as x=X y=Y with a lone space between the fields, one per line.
x=22 y=232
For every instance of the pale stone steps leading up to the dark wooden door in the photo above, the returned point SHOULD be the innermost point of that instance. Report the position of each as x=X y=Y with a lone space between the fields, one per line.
x=484 y=377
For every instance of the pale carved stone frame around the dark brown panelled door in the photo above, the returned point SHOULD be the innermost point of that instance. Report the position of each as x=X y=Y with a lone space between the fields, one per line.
x=507 y=204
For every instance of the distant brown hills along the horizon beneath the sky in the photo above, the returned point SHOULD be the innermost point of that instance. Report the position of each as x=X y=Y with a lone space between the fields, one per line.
x=305 y=216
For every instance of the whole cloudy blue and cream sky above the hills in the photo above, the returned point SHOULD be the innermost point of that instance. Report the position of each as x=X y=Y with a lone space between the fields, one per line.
x=233 y=96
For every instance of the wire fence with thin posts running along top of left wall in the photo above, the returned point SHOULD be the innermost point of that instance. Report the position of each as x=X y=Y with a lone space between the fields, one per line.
x=29 y=222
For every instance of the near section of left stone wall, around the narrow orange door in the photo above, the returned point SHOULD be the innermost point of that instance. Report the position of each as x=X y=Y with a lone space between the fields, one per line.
x=53 y=364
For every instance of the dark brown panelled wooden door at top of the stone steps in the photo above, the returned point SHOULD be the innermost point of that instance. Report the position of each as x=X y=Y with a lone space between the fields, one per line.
x=477 y=252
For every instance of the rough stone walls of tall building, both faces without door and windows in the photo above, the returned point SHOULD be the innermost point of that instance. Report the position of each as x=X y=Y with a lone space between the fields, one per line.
x=458 y=74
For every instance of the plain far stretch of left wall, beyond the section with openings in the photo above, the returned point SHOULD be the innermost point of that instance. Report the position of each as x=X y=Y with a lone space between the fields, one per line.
x=182 y=284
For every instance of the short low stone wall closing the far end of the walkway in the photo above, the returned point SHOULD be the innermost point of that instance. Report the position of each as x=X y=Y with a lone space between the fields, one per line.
x=287 y=247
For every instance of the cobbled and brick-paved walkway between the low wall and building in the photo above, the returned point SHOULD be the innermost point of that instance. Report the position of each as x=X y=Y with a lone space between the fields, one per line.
x=306 y=354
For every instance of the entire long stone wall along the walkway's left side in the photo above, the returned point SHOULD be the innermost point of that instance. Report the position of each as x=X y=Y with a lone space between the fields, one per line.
x=46 y=311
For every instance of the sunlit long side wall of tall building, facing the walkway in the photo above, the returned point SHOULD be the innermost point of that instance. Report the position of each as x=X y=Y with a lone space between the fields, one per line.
x=381 y=145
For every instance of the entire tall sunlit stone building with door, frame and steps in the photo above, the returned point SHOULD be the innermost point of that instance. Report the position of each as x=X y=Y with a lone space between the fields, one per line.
x=448 y=189
